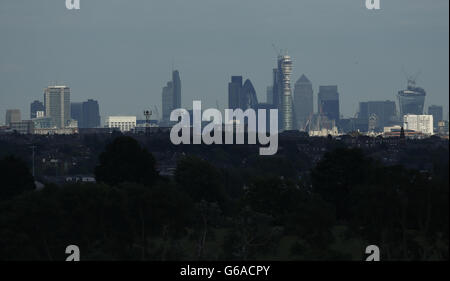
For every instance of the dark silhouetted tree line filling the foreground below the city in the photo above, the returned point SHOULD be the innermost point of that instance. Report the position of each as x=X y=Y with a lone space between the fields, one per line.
x=206 y=212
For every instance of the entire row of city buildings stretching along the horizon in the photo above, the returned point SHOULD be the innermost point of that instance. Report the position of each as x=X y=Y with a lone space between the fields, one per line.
x=295 y=108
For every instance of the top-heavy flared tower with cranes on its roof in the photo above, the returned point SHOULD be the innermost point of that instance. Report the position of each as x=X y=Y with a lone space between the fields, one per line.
x=411 y=100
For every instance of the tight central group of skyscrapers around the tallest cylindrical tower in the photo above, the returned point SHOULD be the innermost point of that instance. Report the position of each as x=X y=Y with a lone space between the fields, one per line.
x=295 y=112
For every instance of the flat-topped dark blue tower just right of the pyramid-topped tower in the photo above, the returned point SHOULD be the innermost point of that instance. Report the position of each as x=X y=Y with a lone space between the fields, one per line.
x=328 y=102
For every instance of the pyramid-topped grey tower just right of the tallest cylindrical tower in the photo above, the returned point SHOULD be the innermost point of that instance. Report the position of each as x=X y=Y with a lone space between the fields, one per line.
x=303 y=101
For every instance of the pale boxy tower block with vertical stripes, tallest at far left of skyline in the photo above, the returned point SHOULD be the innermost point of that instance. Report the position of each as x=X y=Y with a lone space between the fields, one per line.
x=57 y=105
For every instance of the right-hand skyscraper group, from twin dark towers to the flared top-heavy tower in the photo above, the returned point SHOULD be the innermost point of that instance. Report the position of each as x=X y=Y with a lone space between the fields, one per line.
x=296 y=112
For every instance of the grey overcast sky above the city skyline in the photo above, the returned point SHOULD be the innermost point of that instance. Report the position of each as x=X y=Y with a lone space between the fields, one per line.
x=121 y=52
